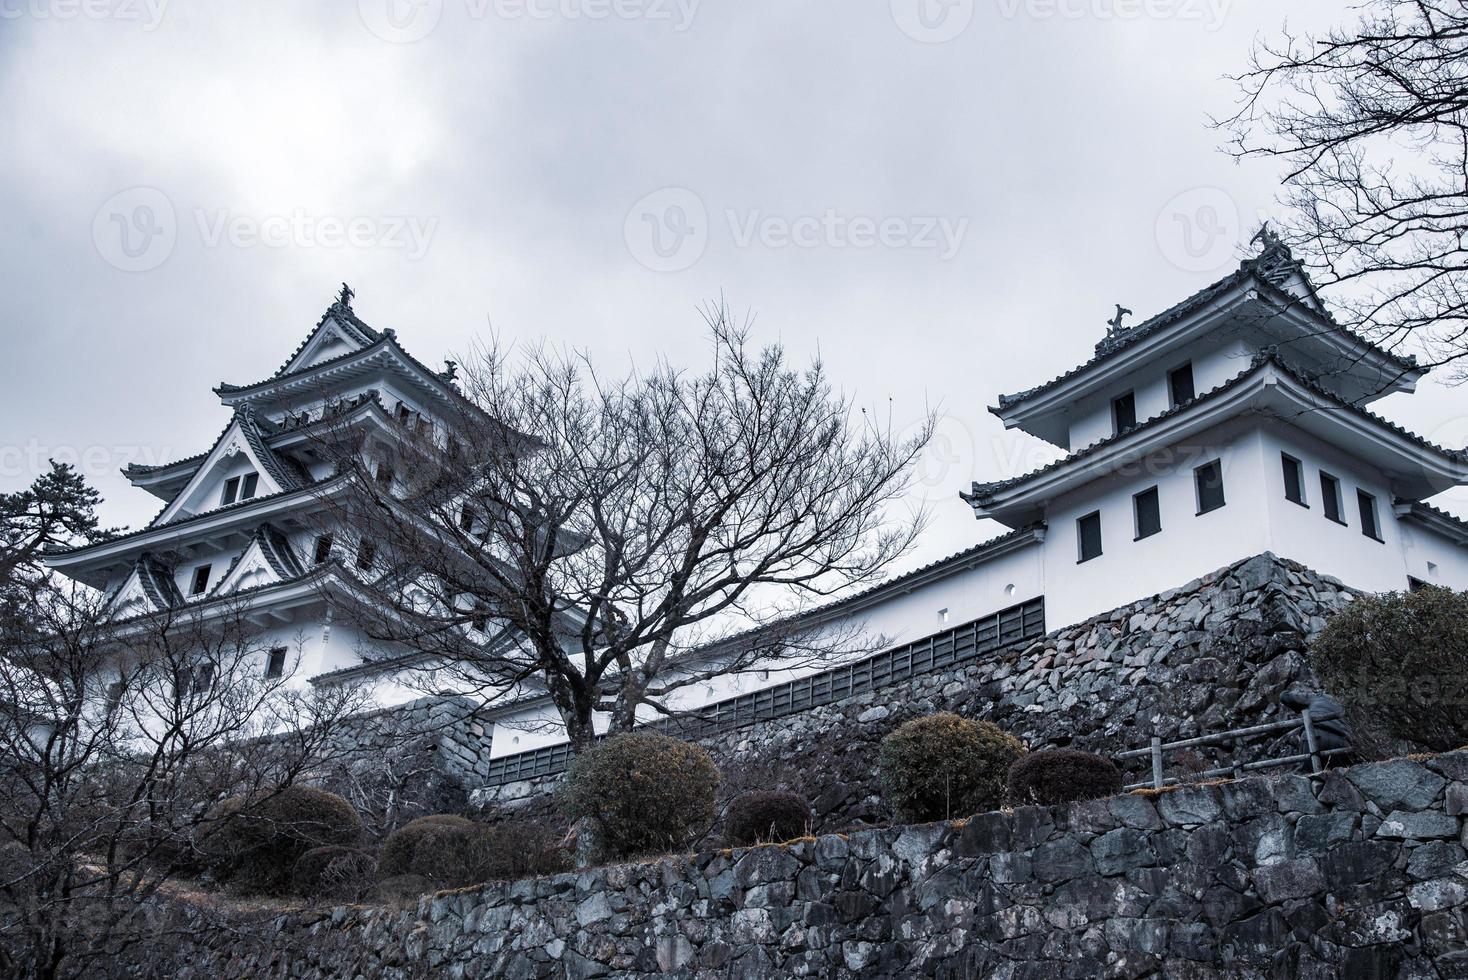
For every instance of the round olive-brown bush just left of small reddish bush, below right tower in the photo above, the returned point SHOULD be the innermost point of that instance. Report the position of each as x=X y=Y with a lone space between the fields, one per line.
x=945 y=767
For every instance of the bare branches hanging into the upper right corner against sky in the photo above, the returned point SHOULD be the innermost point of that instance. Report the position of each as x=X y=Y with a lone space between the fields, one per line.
x=1372 y=124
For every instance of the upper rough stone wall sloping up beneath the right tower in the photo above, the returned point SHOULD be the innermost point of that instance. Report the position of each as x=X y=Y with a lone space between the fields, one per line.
x=1207 y=657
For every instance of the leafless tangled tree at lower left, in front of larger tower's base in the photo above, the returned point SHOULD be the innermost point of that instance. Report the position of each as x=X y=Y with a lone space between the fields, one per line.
x=117 y=737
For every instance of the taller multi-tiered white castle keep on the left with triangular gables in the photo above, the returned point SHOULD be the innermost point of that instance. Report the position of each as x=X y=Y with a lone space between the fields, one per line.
x=246 y=524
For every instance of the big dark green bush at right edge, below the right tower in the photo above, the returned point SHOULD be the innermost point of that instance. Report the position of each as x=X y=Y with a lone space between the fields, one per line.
x=1401 y=661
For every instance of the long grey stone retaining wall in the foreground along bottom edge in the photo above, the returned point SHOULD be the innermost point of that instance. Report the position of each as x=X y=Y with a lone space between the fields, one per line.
x=1362 y=874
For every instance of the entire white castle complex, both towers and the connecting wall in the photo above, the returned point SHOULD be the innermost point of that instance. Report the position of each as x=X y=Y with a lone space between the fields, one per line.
x=1232 y=425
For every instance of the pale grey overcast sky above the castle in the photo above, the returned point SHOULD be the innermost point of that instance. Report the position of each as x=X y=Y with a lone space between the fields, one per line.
x=946 y=202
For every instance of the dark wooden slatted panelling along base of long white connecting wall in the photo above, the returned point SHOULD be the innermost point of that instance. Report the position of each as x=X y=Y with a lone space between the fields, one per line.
x=937 y=652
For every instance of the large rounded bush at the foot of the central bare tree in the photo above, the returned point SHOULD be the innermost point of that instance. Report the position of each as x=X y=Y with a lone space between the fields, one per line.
x=642 y=793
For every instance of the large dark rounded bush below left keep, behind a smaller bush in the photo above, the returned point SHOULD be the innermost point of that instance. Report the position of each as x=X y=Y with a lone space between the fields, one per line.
x=253 y=843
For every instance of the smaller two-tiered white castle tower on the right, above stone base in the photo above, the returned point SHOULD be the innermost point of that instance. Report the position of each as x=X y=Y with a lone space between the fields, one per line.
x=1232 y=425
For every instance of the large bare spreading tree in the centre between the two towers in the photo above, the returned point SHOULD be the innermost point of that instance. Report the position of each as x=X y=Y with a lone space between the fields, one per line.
x=614 y=541
